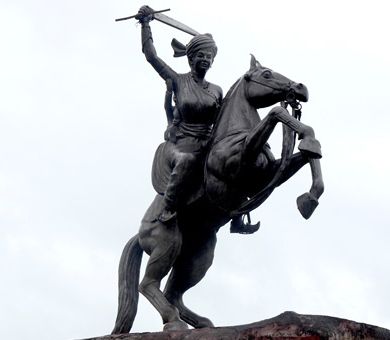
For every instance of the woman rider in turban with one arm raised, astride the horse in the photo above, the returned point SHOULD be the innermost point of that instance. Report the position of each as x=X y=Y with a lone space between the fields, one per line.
x=197 y=104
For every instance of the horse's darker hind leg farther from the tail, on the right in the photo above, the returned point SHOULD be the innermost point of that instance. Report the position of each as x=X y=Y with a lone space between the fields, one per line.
x=189 y=269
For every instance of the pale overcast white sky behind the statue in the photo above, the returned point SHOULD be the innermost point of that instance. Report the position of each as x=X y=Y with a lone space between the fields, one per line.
x=81 y=113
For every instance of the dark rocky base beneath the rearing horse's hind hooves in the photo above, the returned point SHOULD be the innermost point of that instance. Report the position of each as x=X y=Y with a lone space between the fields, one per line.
x=288 y=325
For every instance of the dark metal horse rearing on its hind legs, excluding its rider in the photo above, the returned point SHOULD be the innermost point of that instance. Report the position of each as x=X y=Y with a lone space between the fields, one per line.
x=240 y=173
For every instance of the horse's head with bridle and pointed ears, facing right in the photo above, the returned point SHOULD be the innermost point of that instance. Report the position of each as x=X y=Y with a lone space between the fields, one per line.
x=265 y=87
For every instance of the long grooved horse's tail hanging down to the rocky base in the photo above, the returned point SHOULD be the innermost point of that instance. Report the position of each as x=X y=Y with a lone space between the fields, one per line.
x=129 y=269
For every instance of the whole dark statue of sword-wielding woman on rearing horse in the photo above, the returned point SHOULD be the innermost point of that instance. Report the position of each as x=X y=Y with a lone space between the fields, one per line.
x=214 y=166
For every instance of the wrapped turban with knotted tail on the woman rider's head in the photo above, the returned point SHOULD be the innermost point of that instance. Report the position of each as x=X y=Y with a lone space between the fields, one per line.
x=197 y=43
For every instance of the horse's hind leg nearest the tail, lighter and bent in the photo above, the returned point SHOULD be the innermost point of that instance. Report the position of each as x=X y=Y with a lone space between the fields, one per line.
x=163 y=243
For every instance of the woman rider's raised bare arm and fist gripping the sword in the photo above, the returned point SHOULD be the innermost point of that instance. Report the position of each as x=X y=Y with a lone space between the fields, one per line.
x=145 y=15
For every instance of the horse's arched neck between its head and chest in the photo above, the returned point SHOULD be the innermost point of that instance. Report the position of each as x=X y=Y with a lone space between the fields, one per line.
x=236 y=115
